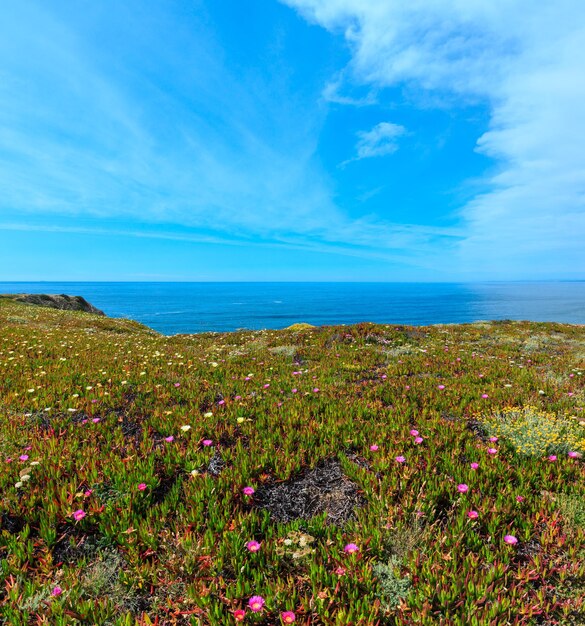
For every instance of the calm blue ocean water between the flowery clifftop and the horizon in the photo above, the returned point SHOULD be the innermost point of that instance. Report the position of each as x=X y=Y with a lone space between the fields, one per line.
x=172 y=308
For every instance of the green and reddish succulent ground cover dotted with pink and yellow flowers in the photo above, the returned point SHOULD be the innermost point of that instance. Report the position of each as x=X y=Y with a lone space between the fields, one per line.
x=368 y=474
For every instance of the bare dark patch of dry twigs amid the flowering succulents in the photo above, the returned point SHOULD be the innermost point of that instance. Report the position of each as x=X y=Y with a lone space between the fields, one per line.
x=324 y=489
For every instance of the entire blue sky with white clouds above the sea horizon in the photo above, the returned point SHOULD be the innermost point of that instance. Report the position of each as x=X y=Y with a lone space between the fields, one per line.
x=293 y=140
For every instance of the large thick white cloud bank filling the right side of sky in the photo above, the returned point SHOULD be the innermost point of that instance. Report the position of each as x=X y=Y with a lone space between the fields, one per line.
x=525 y=60
